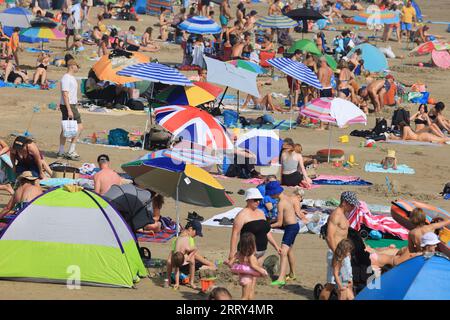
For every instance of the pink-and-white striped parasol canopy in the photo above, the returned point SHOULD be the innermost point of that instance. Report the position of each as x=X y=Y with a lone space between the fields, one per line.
x=334 y=110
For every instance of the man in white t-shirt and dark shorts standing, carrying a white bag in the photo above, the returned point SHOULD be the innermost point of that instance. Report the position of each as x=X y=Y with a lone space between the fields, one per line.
x=68 y=108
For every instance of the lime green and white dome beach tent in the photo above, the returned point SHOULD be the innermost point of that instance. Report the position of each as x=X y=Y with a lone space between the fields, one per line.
x=66 y=234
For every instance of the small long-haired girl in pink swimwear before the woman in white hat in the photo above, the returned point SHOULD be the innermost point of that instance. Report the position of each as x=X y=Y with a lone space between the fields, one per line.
x=248 y=266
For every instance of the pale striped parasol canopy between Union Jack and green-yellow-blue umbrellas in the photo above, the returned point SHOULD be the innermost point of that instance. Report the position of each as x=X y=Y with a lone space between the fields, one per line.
x=189 y=156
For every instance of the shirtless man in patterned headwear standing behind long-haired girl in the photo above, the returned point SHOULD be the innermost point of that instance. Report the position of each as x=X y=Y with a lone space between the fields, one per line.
x=336 y=232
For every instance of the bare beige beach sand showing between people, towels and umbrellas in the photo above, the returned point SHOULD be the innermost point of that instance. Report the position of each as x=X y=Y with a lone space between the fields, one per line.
x=431 y=165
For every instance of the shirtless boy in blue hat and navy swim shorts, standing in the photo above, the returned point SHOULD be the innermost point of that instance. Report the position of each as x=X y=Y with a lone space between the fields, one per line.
x=287 y=218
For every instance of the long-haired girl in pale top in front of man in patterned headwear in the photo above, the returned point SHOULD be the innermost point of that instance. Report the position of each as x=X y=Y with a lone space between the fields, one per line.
x=342 y=269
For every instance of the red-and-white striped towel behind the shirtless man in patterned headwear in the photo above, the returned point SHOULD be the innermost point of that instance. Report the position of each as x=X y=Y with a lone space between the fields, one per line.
x=362 y=216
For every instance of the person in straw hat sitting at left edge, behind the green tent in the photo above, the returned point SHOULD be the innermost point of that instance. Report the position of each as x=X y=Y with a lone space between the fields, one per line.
x=28 y=190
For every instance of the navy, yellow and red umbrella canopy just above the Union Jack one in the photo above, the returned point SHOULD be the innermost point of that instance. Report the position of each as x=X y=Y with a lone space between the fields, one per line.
x=199 y=93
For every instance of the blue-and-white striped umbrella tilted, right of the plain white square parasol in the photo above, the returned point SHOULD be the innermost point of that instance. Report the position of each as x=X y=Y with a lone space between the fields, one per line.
x=296 y=70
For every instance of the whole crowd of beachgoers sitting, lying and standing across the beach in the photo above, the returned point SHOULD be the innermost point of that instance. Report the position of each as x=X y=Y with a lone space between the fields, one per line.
x=271 y=205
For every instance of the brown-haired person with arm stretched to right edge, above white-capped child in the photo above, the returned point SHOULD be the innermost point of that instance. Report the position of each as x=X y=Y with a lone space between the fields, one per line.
x=421 y=227
